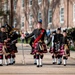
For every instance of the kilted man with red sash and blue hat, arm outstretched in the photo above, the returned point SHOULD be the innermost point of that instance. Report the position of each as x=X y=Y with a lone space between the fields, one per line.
x=39 y=45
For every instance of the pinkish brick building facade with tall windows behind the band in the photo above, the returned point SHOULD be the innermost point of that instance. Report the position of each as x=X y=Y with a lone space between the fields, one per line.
x=54 y=13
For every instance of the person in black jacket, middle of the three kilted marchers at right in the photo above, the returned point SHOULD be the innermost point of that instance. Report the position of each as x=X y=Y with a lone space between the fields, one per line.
x=57 y=45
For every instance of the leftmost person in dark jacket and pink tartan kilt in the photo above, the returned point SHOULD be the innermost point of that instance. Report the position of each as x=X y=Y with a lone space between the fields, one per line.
x=3 y=40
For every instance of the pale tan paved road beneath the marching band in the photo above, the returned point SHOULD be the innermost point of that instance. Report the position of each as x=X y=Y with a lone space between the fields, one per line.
x=29 y=69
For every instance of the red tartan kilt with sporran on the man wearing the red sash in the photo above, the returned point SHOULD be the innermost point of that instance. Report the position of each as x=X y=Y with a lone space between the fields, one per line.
x=37 y=48
